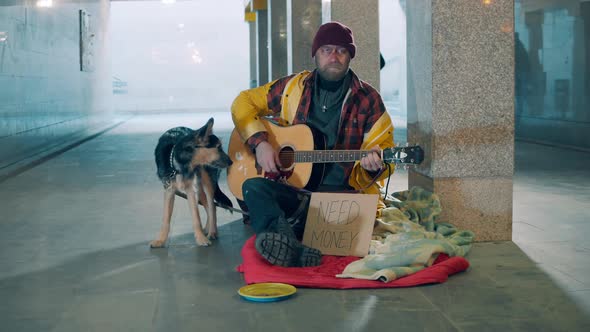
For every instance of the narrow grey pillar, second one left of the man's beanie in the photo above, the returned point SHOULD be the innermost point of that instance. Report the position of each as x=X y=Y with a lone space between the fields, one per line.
x=277 y=37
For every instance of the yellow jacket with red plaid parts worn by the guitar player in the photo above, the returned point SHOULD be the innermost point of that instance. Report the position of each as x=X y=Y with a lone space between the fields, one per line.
x=289 y=98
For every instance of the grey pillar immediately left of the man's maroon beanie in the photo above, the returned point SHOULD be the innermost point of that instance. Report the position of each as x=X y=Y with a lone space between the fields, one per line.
x=304 y=17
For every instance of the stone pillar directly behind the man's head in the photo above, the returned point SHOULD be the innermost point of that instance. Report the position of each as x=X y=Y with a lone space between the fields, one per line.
x=363 y=18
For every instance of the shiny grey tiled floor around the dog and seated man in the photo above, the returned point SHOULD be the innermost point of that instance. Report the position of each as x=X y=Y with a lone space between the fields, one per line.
x=74 y=254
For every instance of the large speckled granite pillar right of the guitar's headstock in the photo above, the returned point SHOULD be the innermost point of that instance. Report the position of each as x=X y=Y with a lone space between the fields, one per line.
x=461 y=109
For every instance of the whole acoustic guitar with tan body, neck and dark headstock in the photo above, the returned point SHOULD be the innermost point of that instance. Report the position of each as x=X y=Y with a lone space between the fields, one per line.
x=299 y=159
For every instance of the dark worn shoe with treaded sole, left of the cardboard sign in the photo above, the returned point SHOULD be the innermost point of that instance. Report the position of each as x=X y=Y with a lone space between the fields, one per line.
x=284 y=250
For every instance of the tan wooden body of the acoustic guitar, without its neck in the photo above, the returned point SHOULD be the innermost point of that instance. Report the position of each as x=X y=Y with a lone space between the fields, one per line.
x=283 y=139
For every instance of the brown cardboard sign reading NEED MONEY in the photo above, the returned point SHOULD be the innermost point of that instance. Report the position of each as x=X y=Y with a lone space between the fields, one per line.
x=340 y=224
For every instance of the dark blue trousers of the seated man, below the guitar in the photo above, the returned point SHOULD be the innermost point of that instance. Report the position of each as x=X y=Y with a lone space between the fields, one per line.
x=268 y=200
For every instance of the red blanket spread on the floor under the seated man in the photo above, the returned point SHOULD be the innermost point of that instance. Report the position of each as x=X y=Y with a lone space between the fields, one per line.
x=256 y=269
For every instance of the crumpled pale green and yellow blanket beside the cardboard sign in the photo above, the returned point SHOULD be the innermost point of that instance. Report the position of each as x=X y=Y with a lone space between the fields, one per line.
x=406 y=238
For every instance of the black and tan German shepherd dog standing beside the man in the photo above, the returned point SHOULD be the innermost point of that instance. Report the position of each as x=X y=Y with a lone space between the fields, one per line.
x=191 y=161
